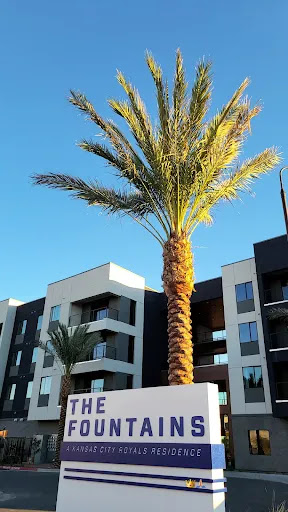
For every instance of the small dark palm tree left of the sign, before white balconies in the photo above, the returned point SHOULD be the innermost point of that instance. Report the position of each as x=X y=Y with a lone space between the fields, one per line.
x=69 y=346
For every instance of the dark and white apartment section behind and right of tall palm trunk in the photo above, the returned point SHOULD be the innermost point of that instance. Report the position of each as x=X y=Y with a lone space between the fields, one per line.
x=238 y=347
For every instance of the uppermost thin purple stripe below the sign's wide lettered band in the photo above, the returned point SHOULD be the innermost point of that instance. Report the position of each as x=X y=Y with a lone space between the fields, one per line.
x=144 y=475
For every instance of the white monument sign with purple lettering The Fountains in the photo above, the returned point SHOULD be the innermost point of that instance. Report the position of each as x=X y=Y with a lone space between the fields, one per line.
x=153 y=447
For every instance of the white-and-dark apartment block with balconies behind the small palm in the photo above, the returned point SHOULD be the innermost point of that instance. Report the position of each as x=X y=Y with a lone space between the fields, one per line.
x=110 y=300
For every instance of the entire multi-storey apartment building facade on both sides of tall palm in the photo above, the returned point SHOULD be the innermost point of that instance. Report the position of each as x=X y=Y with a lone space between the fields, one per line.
x=236 y=345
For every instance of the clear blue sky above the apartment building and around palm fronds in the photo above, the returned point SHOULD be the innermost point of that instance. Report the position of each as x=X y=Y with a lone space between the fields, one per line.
x=48 y=48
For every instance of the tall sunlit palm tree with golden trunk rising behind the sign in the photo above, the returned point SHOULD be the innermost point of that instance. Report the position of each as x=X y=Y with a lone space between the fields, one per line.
x=176 y=173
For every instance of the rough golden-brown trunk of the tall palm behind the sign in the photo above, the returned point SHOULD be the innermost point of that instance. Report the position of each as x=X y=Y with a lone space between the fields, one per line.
x=178 y=282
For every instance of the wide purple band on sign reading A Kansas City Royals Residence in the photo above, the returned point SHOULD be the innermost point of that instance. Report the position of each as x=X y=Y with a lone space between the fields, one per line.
x=202 y=456
